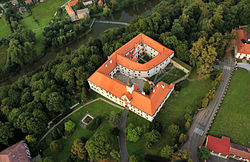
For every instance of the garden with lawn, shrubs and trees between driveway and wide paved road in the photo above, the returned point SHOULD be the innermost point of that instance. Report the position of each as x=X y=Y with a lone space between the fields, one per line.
x=170 y=125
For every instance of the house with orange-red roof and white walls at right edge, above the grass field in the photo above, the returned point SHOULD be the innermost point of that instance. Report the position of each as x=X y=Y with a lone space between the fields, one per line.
x=242 y=47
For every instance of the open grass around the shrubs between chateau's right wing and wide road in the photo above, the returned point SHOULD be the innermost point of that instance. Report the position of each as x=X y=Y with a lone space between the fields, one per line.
x=174 y=109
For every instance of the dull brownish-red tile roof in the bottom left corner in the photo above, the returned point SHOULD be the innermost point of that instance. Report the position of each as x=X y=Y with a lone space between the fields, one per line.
x=14 y=153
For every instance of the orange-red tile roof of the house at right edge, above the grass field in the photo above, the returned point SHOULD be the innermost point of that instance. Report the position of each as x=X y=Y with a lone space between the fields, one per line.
x=241 y=47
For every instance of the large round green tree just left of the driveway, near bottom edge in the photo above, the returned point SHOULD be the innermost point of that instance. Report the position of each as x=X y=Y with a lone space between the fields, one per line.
x=98 y=146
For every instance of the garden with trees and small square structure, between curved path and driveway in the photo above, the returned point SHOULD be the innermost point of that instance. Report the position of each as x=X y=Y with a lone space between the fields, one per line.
x=67 y=139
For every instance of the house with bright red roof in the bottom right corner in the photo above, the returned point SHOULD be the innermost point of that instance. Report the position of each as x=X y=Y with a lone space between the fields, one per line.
x=222 y=147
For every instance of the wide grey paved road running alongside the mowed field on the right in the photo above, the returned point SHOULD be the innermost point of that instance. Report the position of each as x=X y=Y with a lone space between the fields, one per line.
x=203 y=119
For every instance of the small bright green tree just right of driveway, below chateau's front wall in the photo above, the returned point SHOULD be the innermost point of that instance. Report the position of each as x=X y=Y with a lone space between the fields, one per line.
x=133 y=134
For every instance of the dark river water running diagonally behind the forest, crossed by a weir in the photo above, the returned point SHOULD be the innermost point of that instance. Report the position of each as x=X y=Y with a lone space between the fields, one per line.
x=125 y=15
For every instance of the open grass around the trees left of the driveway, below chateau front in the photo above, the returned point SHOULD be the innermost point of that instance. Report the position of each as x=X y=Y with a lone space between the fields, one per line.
x=94 y=109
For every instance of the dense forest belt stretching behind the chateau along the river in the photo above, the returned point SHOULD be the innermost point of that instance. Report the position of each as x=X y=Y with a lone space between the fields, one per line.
x=198 y=31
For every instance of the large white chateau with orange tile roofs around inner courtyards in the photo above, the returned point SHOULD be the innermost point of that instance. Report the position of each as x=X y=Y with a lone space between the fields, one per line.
x=124 y=61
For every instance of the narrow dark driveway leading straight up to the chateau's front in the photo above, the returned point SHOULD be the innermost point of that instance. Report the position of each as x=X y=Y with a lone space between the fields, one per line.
x=122 y=137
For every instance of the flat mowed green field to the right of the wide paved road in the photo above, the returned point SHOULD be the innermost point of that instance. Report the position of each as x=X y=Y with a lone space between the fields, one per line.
x=233 y=118
